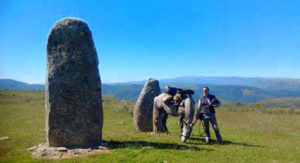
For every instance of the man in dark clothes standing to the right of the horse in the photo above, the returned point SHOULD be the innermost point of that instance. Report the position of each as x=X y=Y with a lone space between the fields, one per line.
x=206 y=112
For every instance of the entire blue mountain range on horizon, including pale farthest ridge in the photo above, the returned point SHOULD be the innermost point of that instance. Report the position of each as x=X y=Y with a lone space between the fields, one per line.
x=227 y=88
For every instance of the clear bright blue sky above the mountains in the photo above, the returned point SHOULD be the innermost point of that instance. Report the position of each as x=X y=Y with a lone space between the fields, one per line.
x=136 y=40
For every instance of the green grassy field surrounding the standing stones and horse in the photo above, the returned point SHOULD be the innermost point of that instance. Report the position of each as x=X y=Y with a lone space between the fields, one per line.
x=250 y=135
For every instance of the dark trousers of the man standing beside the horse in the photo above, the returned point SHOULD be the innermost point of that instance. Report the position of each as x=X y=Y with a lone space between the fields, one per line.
x=212 y=119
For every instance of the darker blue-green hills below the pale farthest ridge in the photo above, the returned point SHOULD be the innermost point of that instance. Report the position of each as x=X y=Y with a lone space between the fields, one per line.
x=130 y=91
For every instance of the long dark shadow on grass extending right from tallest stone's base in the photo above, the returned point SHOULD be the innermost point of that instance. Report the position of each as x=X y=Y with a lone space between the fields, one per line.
x=142 y=144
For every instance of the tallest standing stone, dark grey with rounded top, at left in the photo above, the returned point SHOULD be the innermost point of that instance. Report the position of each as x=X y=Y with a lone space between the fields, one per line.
x=73 y=99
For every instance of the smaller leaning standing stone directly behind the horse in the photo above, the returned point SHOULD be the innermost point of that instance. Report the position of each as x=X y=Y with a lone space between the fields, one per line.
x=143 y=109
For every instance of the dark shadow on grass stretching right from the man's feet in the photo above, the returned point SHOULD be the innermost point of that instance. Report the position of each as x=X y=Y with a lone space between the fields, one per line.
x=225 y=142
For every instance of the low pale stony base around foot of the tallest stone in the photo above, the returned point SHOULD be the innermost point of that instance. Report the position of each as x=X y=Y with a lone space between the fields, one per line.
x=44 y=151
